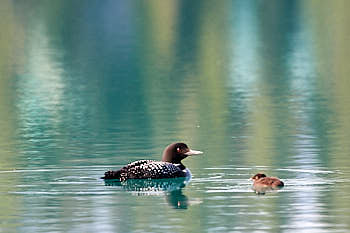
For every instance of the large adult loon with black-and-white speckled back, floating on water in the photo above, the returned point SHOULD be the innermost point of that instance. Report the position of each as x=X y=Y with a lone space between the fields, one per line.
x=169 y=167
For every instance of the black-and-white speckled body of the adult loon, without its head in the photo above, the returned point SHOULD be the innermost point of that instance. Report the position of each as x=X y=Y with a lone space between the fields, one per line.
x=146 y=169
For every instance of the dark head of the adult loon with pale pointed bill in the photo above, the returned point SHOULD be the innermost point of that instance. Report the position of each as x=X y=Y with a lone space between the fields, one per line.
x=176 y=152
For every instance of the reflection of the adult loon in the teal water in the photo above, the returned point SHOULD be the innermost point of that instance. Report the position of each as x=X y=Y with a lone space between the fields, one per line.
x=171 y=188
